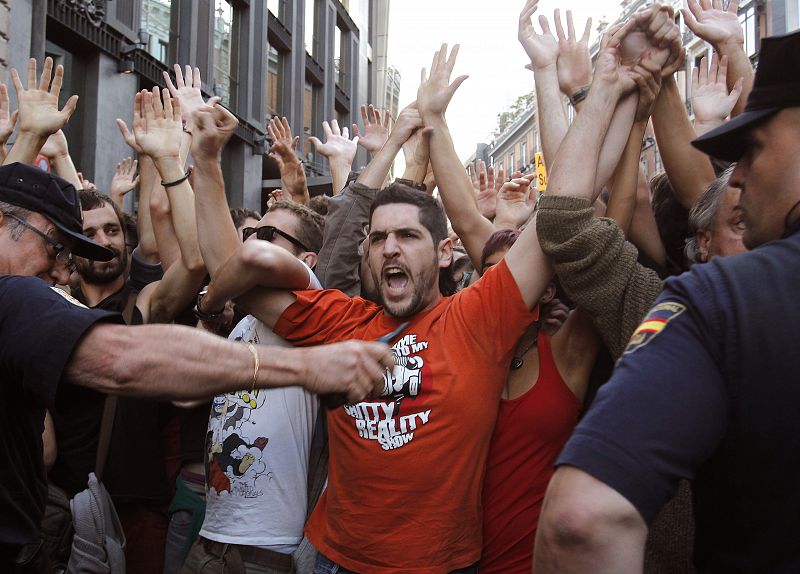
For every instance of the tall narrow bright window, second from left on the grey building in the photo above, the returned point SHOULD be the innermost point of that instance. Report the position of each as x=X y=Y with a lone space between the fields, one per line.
x=226 y=52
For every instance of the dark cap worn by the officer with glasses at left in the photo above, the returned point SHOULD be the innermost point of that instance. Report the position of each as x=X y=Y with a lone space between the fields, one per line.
x=29 y=187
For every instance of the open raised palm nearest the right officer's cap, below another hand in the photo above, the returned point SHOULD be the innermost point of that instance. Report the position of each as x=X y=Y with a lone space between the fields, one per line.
x=711 y=102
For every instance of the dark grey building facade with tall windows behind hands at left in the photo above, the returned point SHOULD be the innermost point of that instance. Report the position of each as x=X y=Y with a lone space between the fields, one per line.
x=308 y=60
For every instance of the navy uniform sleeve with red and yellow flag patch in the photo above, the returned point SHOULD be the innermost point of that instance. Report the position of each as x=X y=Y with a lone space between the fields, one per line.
x=664 y=410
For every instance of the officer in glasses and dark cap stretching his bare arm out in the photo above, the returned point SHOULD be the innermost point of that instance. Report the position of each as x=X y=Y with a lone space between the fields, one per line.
x=46 y=338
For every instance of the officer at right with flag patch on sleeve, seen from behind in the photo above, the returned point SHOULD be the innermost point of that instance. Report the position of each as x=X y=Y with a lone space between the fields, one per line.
x=707 y=388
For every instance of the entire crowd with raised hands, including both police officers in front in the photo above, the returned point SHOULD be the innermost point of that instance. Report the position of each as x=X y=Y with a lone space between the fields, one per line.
x=444 y=373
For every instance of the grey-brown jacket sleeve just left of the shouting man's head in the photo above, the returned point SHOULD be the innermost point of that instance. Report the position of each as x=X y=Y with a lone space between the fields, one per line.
x=338 y=262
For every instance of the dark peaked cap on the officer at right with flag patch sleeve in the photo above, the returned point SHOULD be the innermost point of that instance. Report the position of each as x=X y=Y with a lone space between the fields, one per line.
x=776 y=86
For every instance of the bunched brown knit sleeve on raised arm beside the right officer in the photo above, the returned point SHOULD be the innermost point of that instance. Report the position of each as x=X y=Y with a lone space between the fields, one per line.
x=597 y=267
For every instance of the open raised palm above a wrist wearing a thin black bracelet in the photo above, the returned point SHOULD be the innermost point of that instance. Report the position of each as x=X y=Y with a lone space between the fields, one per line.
x=157 y=124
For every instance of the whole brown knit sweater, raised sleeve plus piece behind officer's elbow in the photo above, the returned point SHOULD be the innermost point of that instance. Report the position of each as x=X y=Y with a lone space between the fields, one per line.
x=598 y=269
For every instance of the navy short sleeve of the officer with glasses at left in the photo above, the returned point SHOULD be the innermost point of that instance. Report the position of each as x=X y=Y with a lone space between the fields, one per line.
x=39 y=328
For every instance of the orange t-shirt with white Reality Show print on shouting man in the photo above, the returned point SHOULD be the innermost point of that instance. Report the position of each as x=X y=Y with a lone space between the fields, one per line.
x=406 y=472
